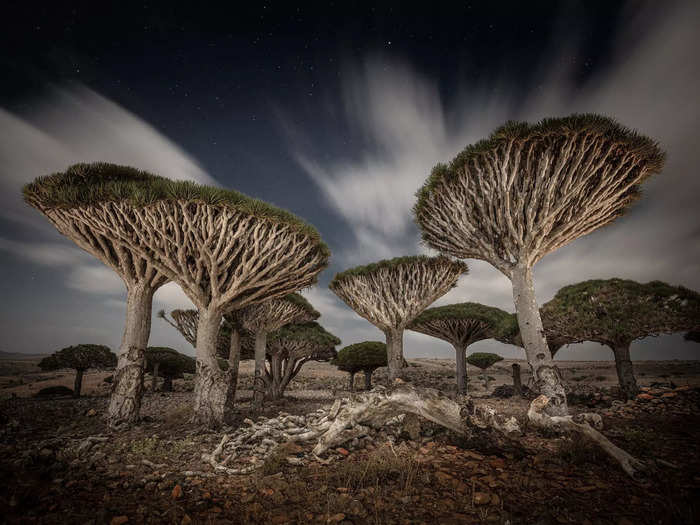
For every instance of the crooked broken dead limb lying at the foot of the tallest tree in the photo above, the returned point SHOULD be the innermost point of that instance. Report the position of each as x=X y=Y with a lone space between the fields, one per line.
x=583 y=424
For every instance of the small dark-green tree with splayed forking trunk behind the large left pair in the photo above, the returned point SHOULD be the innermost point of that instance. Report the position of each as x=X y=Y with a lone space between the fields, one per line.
x=290 y=347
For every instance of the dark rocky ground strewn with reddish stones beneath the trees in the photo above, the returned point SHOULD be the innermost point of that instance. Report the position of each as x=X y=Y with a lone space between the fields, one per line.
x=60 y=464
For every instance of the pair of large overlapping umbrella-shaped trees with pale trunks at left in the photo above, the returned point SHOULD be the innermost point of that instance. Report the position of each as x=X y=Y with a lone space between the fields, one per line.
x=225 y=250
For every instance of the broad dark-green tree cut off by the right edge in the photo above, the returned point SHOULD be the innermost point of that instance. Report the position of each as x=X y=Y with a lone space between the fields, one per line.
x=616 y=312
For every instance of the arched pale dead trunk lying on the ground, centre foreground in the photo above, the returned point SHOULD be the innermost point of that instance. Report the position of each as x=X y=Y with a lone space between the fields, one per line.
x=376 y=407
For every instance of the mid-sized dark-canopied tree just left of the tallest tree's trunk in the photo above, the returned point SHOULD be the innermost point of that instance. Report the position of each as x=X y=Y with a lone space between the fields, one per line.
x=461 y=325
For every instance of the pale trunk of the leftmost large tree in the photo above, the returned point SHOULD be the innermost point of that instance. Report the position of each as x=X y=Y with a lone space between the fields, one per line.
x=127 y=387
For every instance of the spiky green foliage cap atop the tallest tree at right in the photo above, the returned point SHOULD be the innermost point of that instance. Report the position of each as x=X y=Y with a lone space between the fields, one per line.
x=626 y=139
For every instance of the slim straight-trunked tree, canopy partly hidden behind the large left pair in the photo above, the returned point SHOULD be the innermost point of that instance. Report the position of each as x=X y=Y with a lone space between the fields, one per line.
x=263 y=318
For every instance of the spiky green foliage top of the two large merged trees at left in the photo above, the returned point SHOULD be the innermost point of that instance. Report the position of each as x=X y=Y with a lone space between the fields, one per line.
x=90 y=184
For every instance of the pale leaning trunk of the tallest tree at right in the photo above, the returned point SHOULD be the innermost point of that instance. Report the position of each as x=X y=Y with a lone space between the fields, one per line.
x=546 y=376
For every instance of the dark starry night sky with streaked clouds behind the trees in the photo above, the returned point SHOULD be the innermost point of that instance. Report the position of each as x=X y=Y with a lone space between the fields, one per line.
x=335 y=111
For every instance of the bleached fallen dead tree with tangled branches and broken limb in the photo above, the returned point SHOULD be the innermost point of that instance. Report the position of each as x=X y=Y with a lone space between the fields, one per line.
x=379 y=415
